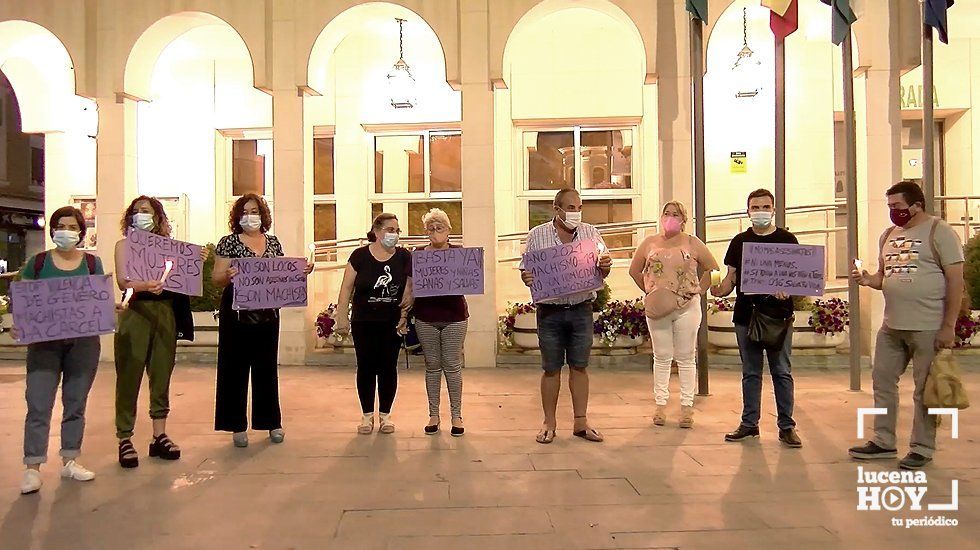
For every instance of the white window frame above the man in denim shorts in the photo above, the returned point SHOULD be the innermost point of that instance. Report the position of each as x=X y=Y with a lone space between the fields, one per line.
x=528 y=195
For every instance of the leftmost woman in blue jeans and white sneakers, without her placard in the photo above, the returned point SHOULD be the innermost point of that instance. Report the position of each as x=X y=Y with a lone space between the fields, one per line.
x=72 y=361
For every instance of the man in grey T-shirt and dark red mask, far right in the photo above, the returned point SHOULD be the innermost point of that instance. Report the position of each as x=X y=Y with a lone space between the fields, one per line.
x=920 y=272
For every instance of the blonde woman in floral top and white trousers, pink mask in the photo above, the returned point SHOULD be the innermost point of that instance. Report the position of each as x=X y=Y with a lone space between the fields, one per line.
x=673 y=269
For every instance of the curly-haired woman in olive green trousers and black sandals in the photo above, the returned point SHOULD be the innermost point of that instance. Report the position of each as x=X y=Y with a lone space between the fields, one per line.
x=146 y=340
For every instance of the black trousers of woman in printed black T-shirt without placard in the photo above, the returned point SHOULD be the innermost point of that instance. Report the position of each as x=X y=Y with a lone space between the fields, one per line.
x=376 y=345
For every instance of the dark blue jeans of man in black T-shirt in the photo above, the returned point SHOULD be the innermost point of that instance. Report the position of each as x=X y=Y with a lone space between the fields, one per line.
x=782 y=379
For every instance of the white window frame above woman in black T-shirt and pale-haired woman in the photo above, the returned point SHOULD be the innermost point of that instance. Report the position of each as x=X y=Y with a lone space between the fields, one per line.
x=425 y=131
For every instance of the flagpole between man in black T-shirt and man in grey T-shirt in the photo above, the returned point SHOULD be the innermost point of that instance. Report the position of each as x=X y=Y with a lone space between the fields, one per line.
x=850 y=179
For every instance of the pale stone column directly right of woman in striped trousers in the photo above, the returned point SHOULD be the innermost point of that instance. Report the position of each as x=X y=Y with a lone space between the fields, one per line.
x=477 y=160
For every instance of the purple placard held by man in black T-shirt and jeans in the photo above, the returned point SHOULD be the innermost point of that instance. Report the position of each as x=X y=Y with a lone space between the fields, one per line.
x=797 y=270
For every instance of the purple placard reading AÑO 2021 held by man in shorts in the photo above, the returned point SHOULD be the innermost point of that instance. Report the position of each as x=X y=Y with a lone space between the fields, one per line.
x=563 y=270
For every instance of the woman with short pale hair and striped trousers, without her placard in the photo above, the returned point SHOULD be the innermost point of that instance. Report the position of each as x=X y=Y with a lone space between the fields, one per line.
x=441 y=325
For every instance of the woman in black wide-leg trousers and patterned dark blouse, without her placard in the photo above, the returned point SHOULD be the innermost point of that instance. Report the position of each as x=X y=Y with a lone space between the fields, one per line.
x=247 y=340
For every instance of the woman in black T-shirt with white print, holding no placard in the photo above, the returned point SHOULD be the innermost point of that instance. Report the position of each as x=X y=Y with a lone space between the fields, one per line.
x=378 y=279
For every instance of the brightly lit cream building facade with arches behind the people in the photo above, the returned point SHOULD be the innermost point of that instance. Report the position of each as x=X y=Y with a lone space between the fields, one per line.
x=200 y=101
